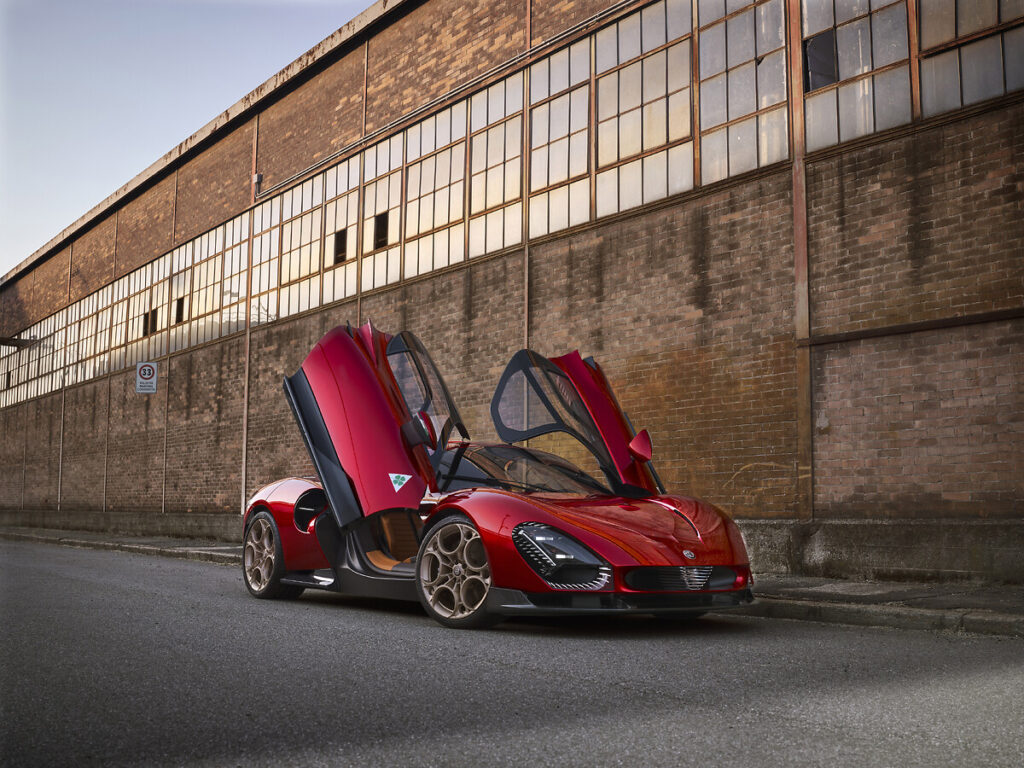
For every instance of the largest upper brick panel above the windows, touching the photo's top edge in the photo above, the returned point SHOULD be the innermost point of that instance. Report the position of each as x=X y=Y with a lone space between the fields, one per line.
x=437 y=48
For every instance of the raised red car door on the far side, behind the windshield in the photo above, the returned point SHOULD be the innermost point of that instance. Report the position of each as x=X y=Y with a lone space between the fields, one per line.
x=537 y=396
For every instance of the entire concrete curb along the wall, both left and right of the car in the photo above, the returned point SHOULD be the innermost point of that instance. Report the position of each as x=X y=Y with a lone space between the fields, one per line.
x=767 y=607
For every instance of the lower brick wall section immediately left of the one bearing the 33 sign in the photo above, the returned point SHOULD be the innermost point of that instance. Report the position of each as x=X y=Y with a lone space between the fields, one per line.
x=83 y=467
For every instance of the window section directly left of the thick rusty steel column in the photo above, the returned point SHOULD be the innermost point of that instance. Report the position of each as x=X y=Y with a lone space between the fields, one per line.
x=743 y=74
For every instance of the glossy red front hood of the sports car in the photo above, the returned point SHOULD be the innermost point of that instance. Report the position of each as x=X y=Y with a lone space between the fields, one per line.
x=649 y=532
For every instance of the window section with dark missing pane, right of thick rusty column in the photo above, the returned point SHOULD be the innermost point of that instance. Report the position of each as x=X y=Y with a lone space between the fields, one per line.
x=857 y=69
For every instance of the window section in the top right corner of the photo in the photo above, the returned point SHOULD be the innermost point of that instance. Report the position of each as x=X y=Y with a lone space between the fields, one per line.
x=988 y=64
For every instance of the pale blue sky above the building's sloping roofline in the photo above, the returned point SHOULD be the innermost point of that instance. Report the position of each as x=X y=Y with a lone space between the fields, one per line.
x=95 y=92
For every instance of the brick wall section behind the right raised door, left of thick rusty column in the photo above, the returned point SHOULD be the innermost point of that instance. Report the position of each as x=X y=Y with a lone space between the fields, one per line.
x=690 y=312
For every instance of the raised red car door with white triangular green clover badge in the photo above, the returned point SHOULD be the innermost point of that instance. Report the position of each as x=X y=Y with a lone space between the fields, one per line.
x=369 y=446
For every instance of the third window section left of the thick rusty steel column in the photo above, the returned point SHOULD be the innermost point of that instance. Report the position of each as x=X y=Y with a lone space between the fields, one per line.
x=560 y=132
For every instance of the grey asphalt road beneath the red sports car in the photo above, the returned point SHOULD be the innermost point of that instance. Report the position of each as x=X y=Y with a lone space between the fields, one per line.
x=112 y=659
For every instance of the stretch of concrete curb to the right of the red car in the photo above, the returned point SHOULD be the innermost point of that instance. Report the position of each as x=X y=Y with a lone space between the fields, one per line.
x=897 y=617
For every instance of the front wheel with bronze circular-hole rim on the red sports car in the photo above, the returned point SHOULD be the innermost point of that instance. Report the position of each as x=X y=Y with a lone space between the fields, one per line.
x=453 y=575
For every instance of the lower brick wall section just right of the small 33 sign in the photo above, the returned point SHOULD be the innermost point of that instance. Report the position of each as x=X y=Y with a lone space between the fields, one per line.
x=204 y=429
